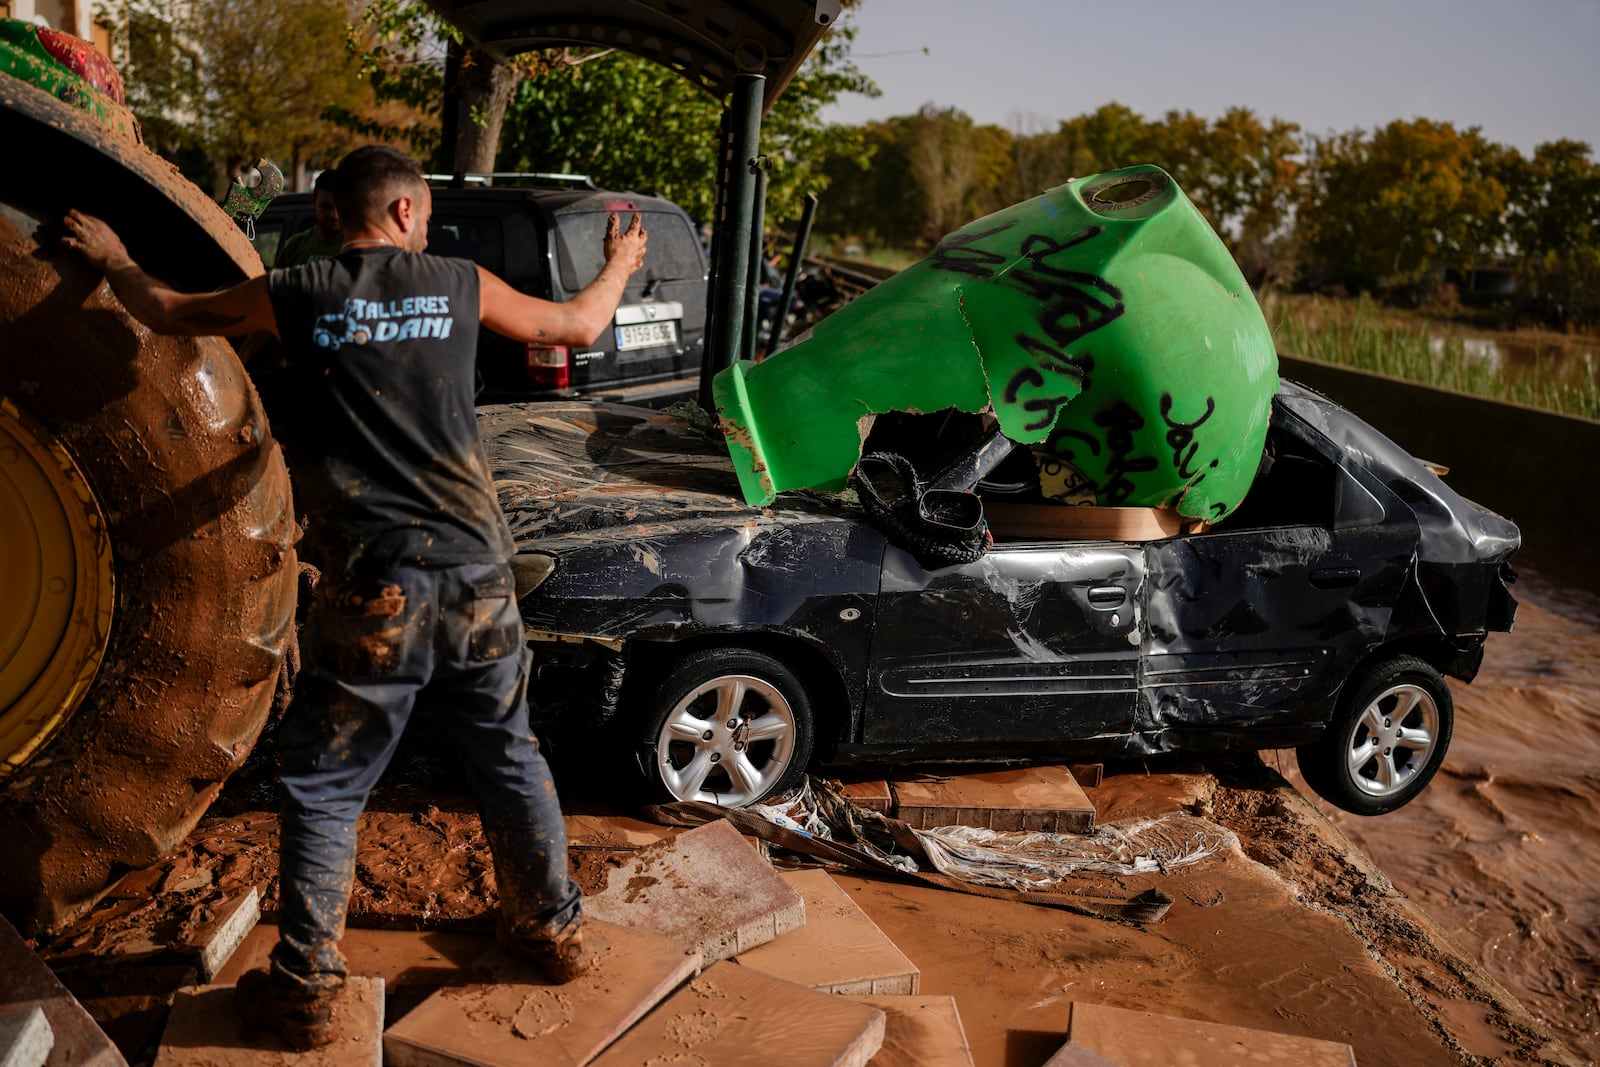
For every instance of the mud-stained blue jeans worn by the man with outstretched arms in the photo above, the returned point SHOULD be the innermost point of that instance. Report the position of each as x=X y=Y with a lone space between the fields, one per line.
x=369 y=652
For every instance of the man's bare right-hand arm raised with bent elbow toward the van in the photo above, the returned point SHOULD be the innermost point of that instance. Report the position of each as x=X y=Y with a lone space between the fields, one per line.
x=580 y=321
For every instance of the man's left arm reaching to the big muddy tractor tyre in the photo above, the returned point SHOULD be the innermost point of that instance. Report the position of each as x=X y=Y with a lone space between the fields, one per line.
x=238 y=311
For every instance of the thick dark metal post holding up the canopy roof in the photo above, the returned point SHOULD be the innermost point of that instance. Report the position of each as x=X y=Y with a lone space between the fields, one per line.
x=732 y=241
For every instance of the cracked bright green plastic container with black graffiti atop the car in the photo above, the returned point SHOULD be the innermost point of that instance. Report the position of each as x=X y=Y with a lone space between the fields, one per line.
x=1105 y=324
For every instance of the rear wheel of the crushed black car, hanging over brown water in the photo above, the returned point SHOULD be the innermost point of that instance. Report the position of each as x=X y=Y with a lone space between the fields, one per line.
x=1386 y=740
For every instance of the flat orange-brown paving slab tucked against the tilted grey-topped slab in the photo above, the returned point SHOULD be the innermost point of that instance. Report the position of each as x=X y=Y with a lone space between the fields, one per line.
x=839 y=949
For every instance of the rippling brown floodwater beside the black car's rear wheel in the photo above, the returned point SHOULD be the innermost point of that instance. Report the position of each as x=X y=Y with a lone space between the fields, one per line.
x=1500 y=847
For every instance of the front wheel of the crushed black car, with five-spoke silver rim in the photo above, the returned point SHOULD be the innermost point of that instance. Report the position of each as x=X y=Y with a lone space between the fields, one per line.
x=727 y=725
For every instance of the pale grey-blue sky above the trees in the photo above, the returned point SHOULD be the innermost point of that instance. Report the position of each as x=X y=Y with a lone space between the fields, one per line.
x=1526 y=73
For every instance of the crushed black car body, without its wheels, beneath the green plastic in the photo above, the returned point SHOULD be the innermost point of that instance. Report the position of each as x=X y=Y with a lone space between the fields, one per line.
x=1238 y=636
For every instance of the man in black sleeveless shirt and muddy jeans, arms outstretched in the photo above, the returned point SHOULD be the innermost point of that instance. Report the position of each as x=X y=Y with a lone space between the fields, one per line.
x=417 y=591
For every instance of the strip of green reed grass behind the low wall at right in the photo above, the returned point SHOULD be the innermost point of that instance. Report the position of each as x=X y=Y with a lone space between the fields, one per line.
x=1356 y=334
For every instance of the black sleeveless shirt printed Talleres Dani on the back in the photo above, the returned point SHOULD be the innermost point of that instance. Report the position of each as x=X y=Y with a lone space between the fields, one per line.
x=382 y=351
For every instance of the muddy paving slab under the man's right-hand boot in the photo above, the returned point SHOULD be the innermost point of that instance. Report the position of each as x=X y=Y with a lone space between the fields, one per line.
x=505 y=1012
